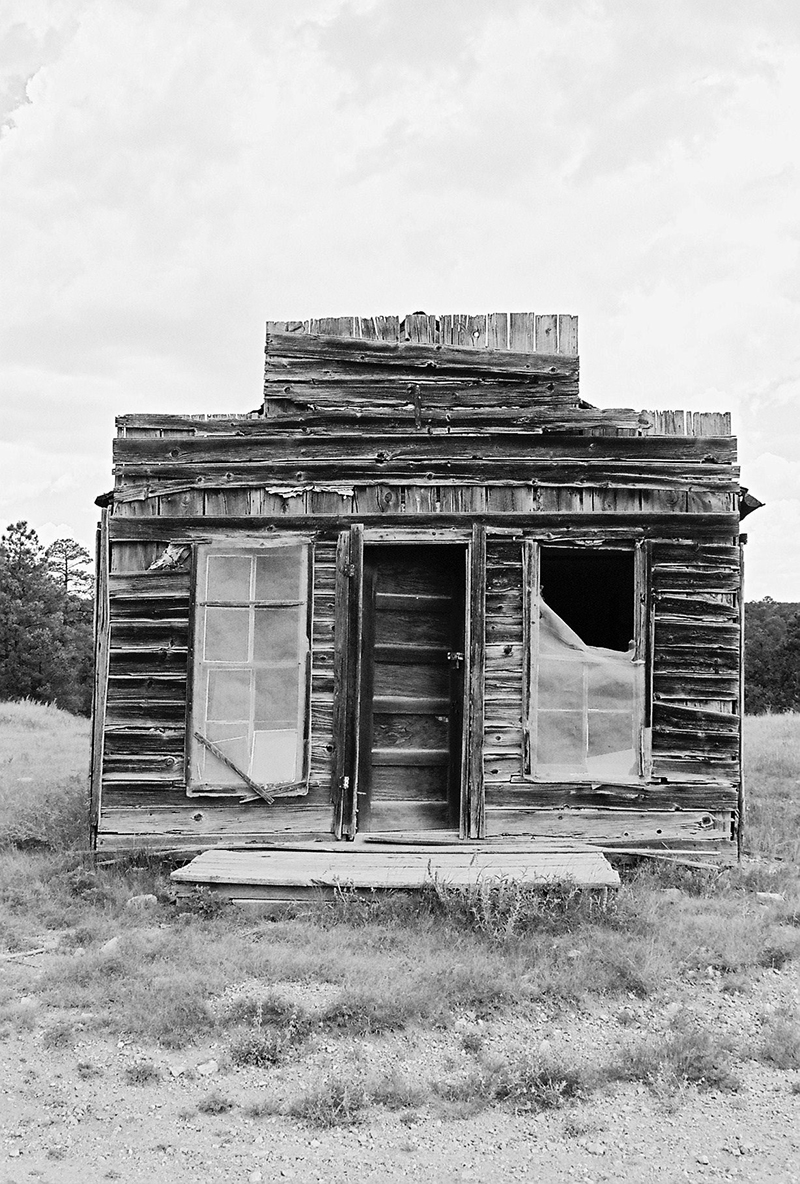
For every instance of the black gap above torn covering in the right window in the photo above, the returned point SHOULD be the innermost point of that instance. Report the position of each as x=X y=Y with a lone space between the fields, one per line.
x=592 y=591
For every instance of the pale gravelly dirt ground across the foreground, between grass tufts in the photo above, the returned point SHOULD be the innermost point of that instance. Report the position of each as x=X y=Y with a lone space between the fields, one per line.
x=72 y=1115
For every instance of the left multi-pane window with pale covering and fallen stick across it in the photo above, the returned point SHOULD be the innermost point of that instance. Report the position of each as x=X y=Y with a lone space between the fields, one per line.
x=251 y=668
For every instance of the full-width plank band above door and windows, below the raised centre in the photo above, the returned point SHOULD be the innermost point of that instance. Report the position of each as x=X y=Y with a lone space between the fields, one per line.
x=270 y=474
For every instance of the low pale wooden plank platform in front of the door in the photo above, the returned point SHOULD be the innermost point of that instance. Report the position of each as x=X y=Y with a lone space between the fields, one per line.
x=302 y=871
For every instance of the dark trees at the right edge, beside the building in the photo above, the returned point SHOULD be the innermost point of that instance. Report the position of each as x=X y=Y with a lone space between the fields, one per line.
x=772 y=657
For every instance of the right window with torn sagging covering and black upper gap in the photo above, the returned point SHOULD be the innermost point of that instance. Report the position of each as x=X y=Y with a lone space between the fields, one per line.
x=588 y=675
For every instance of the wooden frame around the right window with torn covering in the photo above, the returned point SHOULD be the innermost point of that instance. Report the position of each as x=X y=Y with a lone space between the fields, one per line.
x=642 y=653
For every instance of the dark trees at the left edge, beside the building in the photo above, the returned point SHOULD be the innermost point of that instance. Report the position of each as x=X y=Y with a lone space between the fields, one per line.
x=46 y=621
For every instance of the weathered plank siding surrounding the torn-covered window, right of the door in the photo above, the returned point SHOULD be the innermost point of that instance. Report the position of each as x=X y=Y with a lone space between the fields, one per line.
x=694 y=786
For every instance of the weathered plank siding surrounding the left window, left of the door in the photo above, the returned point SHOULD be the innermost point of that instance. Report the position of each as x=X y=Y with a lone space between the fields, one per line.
x=144 y=786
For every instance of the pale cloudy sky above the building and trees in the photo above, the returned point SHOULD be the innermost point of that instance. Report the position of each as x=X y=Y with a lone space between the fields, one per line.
x=173 y=173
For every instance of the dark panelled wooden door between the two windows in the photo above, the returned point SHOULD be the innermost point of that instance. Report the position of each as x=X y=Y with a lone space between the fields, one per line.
x=412 y=688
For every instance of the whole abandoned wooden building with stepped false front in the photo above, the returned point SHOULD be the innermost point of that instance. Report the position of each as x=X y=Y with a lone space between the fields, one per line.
x=424 y=589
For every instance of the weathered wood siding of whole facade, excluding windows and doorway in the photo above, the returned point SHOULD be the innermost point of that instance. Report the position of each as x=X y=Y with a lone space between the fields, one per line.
x=430 y=423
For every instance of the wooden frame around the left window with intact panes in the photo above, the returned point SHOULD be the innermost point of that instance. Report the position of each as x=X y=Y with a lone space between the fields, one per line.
x=196 y=707
